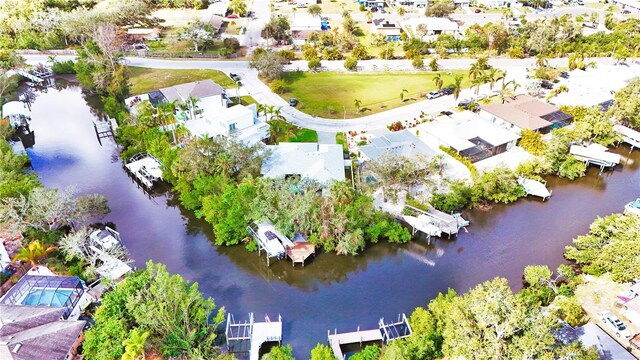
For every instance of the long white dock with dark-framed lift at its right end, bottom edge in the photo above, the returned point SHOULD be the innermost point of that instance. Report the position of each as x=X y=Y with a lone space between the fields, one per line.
x=386 y=332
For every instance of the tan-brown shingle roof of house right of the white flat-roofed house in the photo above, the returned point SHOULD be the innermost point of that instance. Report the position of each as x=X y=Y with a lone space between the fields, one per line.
x=522 y=111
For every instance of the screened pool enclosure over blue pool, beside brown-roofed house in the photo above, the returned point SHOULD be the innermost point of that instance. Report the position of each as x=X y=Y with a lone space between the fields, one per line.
x=48 y=290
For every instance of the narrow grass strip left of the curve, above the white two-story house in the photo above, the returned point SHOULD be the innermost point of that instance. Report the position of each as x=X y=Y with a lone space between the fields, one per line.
x=144 y=80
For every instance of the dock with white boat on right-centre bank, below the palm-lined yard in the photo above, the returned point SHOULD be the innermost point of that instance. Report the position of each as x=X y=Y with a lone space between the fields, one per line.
x=434 y=222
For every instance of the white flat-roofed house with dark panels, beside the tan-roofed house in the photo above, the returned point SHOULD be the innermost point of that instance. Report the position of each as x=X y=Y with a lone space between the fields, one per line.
x=470 y=135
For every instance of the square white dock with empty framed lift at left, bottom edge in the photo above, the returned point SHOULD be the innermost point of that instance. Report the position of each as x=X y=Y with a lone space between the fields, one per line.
x=248 y=336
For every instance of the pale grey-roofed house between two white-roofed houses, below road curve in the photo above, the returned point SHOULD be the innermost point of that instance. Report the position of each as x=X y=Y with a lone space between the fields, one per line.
x=399 y=143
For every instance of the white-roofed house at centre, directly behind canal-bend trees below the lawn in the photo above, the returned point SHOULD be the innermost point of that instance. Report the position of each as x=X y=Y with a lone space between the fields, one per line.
x=323 y=163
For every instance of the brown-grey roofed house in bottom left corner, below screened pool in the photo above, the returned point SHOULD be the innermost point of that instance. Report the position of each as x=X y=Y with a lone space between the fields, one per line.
x=37 y=332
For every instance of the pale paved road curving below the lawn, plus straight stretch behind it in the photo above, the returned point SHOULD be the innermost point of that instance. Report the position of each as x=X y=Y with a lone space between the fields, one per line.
x=516 y=69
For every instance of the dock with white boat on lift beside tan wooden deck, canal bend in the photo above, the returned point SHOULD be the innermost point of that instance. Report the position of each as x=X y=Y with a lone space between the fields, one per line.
x=277 y=245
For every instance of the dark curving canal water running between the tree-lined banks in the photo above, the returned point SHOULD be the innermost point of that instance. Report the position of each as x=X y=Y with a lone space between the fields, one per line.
x=331 y=291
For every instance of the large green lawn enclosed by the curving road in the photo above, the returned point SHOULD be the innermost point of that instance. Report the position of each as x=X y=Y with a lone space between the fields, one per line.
x=332 y=94
